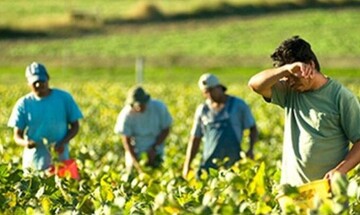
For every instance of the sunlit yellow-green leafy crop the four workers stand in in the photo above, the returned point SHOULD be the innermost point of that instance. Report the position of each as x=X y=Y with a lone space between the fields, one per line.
x=249 y=187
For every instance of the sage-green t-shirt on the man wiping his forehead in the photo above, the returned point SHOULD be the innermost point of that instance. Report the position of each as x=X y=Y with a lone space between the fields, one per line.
x=318 y=127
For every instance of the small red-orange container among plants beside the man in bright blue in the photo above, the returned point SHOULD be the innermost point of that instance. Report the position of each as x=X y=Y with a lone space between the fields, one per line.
x=66 y=168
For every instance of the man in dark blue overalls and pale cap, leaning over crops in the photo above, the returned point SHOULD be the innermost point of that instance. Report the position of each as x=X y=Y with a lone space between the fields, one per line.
x=220 y=121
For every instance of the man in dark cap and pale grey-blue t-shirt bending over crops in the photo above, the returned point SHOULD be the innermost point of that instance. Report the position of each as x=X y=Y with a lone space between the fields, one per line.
x=143 y=124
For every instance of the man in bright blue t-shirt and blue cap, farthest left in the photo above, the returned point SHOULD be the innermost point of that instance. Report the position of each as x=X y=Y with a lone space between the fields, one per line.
x=46 y=117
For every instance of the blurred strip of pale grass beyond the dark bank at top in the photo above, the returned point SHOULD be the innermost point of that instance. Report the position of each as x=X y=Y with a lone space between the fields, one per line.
x=42 y=13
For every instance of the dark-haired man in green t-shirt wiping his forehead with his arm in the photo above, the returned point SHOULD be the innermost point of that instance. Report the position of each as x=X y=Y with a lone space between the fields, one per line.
x=321 y=116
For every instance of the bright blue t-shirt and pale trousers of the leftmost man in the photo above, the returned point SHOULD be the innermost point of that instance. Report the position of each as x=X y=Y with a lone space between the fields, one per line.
x=45 y=121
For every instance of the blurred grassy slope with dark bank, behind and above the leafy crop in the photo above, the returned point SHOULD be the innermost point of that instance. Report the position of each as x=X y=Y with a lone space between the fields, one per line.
x=169 y=35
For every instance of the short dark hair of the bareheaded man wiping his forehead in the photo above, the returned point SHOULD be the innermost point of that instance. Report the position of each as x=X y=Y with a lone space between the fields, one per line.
x=292 y=50
